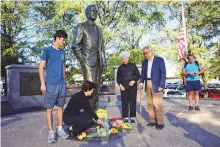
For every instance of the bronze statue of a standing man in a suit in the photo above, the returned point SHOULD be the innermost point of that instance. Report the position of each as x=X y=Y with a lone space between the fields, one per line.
x=88 y=47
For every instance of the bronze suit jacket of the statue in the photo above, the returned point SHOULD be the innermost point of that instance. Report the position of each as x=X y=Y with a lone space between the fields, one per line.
x=87 y=47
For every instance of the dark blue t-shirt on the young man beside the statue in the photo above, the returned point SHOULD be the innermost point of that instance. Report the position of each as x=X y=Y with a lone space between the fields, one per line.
x=54 y=65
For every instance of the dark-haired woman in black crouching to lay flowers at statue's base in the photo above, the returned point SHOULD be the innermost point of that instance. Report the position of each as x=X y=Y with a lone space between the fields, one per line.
x=77 y=102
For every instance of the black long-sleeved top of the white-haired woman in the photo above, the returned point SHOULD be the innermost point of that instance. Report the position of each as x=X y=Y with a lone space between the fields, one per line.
x=126 y=73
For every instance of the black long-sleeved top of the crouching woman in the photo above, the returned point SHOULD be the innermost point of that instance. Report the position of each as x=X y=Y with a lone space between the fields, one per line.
x=77 y=102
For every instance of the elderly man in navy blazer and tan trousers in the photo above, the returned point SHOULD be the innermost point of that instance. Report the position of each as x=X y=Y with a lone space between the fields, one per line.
x=154 y=75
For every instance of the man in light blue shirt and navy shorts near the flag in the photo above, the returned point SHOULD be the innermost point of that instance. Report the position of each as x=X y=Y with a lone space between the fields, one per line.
x=191 y=70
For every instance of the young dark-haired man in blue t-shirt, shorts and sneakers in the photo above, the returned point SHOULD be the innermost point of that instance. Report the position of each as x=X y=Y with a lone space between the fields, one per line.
x=54 y=86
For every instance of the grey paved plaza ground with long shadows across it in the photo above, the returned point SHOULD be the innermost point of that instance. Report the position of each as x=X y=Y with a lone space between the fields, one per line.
x=182 y=129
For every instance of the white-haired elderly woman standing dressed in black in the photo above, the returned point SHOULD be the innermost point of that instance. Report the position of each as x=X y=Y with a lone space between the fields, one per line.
x=127 y=77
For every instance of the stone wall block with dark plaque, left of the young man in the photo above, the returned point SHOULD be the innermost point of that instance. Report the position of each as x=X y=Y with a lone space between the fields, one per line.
x=23 y=86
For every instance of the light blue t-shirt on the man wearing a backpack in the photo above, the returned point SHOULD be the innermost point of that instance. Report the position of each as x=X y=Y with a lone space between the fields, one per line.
x=192 y=68
